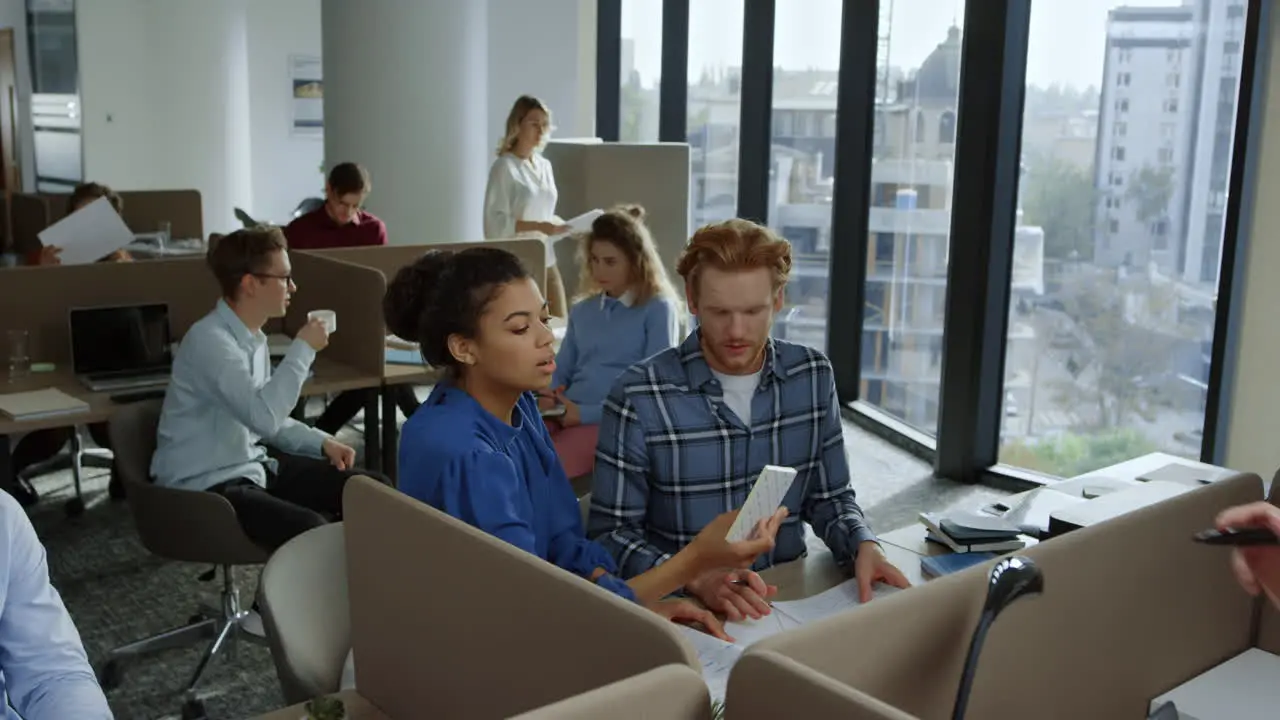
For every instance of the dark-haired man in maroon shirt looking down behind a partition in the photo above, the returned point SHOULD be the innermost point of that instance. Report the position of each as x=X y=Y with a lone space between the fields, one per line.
x=342 y=224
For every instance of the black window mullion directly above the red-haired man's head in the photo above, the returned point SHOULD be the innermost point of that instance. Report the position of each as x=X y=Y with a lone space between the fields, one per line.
x=755 y=139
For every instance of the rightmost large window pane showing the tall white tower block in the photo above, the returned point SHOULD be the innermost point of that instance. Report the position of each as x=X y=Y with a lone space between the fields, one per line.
x=1127 y=149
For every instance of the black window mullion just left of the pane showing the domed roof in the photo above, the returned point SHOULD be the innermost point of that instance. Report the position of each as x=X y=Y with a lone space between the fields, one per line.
x=851 y=224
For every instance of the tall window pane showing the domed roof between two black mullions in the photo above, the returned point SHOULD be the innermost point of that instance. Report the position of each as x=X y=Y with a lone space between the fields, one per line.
x=918 y=80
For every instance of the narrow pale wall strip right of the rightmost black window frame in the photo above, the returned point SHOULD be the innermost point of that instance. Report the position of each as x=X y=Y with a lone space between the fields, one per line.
x=1255 y=402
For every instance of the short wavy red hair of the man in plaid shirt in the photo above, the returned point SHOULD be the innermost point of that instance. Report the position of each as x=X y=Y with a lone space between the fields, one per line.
x=735 y=245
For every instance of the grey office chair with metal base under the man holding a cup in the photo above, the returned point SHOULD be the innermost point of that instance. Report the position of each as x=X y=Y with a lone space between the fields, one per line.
x=186 y=526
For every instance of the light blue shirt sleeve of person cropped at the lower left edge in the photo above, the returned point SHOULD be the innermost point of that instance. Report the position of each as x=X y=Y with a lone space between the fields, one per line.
x=44 y=672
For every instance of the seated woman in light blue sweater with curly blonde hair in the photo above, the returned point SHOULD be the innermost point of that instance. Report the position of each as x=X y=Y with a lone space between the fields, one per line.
x=627 y=312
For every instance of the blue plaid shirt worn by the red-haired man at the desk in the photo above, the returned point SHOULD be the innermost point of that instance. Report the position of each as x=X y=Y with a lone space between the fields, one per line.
x=673 y=457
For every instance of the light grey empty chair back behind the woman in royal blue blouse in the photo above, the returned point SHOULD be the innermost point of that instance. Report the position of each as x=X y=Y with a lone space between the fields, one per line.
x=303 y=595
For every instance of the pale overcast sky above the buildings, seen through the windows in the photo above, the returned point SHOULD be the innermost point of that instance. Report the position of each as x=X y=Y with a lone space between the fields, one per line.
x=1067 y=42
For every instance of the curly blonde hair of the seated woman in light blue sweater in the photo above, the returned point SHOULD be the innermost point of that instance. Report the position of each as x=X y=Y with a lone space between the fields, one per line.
x=624 y=227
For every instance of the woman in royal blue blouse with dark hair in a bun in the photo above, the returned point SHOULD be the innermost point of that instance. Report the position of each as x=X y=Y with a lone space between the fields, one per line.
x=478 y=448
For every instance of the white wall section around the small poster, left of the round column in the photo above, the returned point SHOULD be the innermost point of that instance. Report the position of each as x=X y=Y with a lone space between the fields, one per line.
x=286 y=167
